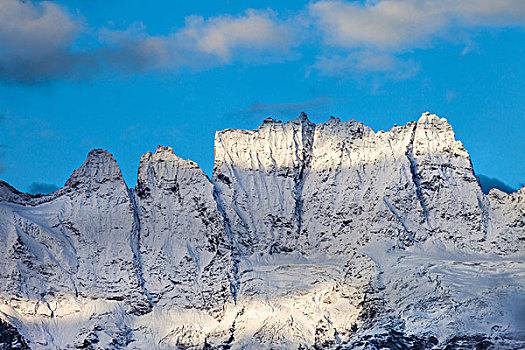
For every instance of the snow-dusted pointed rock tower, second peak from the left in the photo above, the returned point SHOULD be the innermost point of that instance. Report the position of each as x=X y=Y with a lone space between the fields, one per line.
x=184 y=248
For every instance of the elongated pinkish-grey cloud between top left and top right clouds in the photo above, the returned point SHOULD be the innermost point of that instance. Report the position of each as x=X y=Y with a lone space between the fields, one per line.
x=253 y=36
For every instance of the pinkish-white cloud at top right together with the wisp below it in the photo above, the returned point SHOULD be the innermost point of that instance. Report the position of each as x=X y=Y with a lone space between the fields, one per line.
x=371 y=35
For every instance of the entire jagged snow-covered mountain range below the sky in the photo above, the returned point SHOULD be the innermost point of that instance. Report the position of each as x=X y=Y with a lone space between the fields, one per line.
x=318 y=236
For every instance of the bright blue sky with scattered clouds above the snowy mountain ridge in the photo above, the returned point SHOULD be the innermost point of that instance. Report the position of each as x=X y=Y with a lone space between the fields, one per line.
x=126 y=77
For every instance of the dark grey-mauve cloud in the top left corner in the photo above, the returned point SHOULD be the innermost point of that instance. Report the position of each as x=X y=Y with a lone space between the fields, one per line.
x=37 y=42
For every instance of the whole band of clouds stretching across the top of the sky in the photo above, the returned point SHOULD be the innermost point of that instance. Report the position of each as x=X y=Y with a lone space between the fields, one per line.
x=42 y=41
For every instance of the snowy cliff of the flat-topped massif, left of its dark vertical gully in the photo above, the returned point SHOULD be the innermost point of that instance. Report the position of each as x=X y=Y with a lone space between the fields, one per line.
x=259 y=176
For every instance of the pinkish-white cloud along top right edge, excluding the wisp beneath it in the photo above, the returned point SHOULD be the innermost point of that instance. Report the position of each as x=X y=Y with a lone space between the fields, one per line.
x=396 y=25
